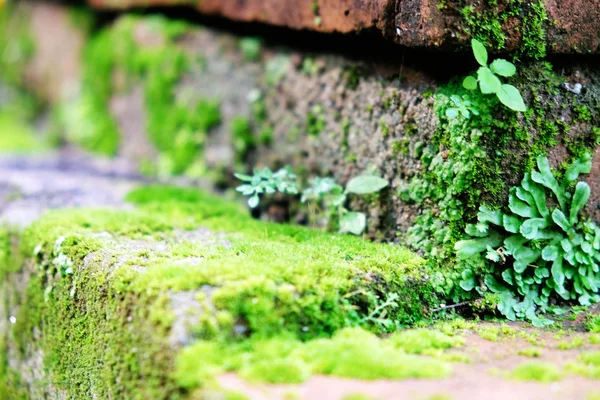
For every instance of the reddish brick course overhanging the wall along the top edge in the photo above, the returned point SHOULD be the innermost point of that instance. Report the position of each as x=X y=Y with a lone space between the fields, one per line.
x=572 y=25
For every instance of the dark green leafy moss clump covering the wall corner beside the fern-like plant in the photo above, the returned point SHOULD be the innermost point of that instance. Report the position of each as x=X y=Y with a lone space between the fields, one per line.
x=466 y=165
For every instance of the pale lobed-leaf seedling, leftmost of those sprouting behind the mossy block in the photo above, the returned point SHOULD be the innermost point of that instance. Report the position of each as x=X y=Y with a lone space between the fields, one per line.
x=265 y=181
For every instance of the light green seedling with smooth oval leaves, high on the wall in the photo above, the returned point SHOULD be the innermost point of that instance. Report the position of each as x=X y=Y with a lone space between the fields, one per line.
x=490 y=83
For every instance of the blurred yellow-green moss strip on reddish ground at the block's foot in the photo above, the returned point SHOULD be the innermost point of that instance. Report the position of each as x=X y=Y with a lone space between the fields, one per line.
x=350 y=353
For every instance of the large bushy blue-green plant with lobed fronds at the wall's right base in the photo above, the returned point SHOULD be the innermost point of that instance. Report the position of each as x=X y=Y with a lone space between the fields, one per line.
x=541 y=246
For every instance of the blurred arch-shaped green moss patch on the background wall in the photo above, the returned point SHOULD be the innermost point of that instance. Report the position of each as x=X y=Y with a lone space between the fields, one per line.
x=176 y=127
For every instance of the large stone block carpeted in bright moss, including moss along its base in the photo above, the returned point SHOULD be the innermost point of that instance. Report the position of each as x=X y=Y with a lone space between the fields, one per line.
x=107 y=298
